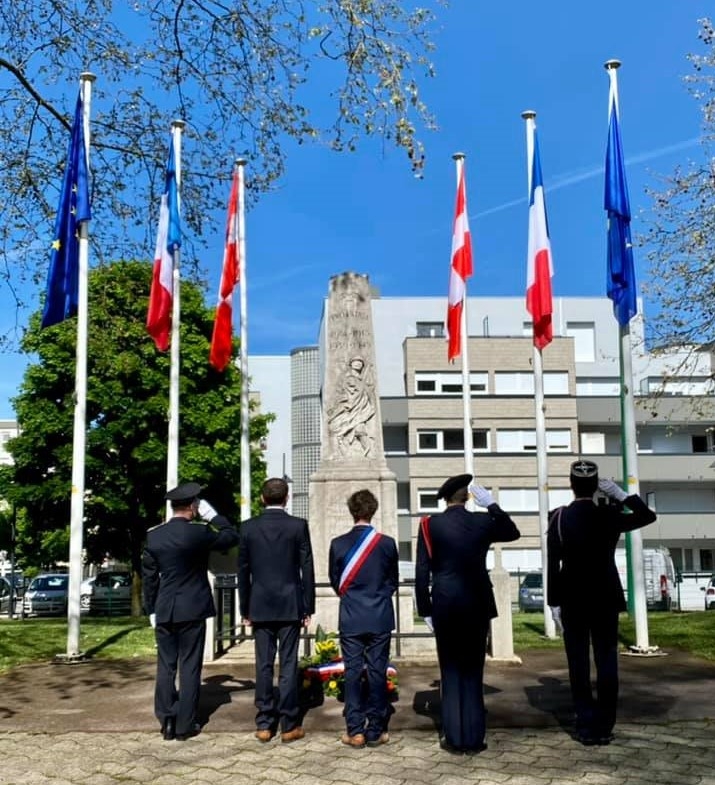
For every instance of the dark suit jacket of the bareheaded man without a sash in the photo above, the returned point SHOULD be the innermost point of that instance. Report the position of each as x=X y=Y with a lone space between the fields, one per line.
x=276 y=579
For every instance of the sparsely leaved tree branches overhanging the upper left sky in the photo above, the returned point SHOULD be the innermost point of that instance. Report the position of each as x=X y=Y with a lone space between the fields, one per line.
x=246 y=76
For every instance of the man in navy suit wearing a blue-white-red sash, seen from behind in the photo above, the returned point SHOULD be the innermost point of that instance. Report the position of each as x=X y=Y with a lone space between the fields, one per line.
x=363 y=571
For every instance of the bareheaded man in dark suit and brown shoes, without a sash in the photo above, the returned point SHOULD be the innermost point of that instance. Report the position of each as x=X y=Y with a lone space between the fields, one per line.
x=276 y=586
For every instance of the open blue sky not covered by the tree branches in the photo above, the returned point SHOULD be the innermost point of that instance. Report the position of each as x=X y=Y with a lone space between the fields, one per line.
x=366 y=211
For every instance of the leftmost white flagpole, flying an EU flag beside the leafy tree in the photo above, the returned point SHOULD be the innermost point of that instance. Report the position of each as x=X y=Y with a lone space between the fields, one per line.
x=80 y=411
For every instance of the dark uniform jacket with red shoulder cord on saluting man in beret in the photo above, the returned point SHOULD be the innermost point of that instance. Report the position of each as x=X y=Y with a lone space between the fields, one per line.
x=458 y=565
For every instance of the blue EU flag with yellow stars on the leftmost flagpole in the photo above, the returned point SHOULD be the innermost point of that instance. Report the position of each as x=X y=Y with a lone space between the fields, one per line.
x=63 y=276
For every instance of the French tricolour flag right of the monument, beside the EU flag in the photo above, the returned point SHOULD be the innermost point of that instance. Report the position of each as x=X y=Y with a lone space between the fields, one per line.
x=539 y=262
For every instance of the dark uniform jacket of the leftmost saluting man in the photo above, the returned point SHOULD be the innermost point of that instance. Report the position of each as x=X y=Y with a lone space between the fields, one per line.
x=175 y=564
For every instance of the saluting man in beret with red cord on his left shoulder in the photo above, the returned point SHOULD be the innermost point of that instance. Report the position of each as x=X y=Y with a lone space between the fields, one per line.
x=452 y=549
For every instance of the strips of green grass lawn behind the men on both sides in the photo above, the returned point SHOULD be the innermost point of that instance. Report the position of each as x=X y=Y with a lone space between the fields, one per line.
x=40 y=639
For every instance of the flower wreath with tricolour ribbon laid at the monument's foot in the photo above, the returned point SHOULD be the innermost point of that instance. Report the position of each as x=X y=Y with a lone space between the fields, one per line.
x=324 y=672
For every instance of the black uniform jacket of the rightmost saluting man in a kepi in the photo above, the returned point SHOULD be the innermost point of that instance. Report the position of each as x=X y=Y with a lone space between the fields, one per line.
x=581 y=569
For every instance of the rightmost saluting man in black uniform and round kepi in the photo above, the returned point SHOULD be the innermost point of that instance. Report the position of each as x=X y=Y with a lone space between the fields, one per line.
x=585 y=592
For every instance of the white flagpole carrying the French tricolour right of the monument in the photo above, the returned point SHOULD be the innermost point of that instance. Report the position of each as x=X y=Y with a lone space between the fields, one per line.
x=542 y=471
